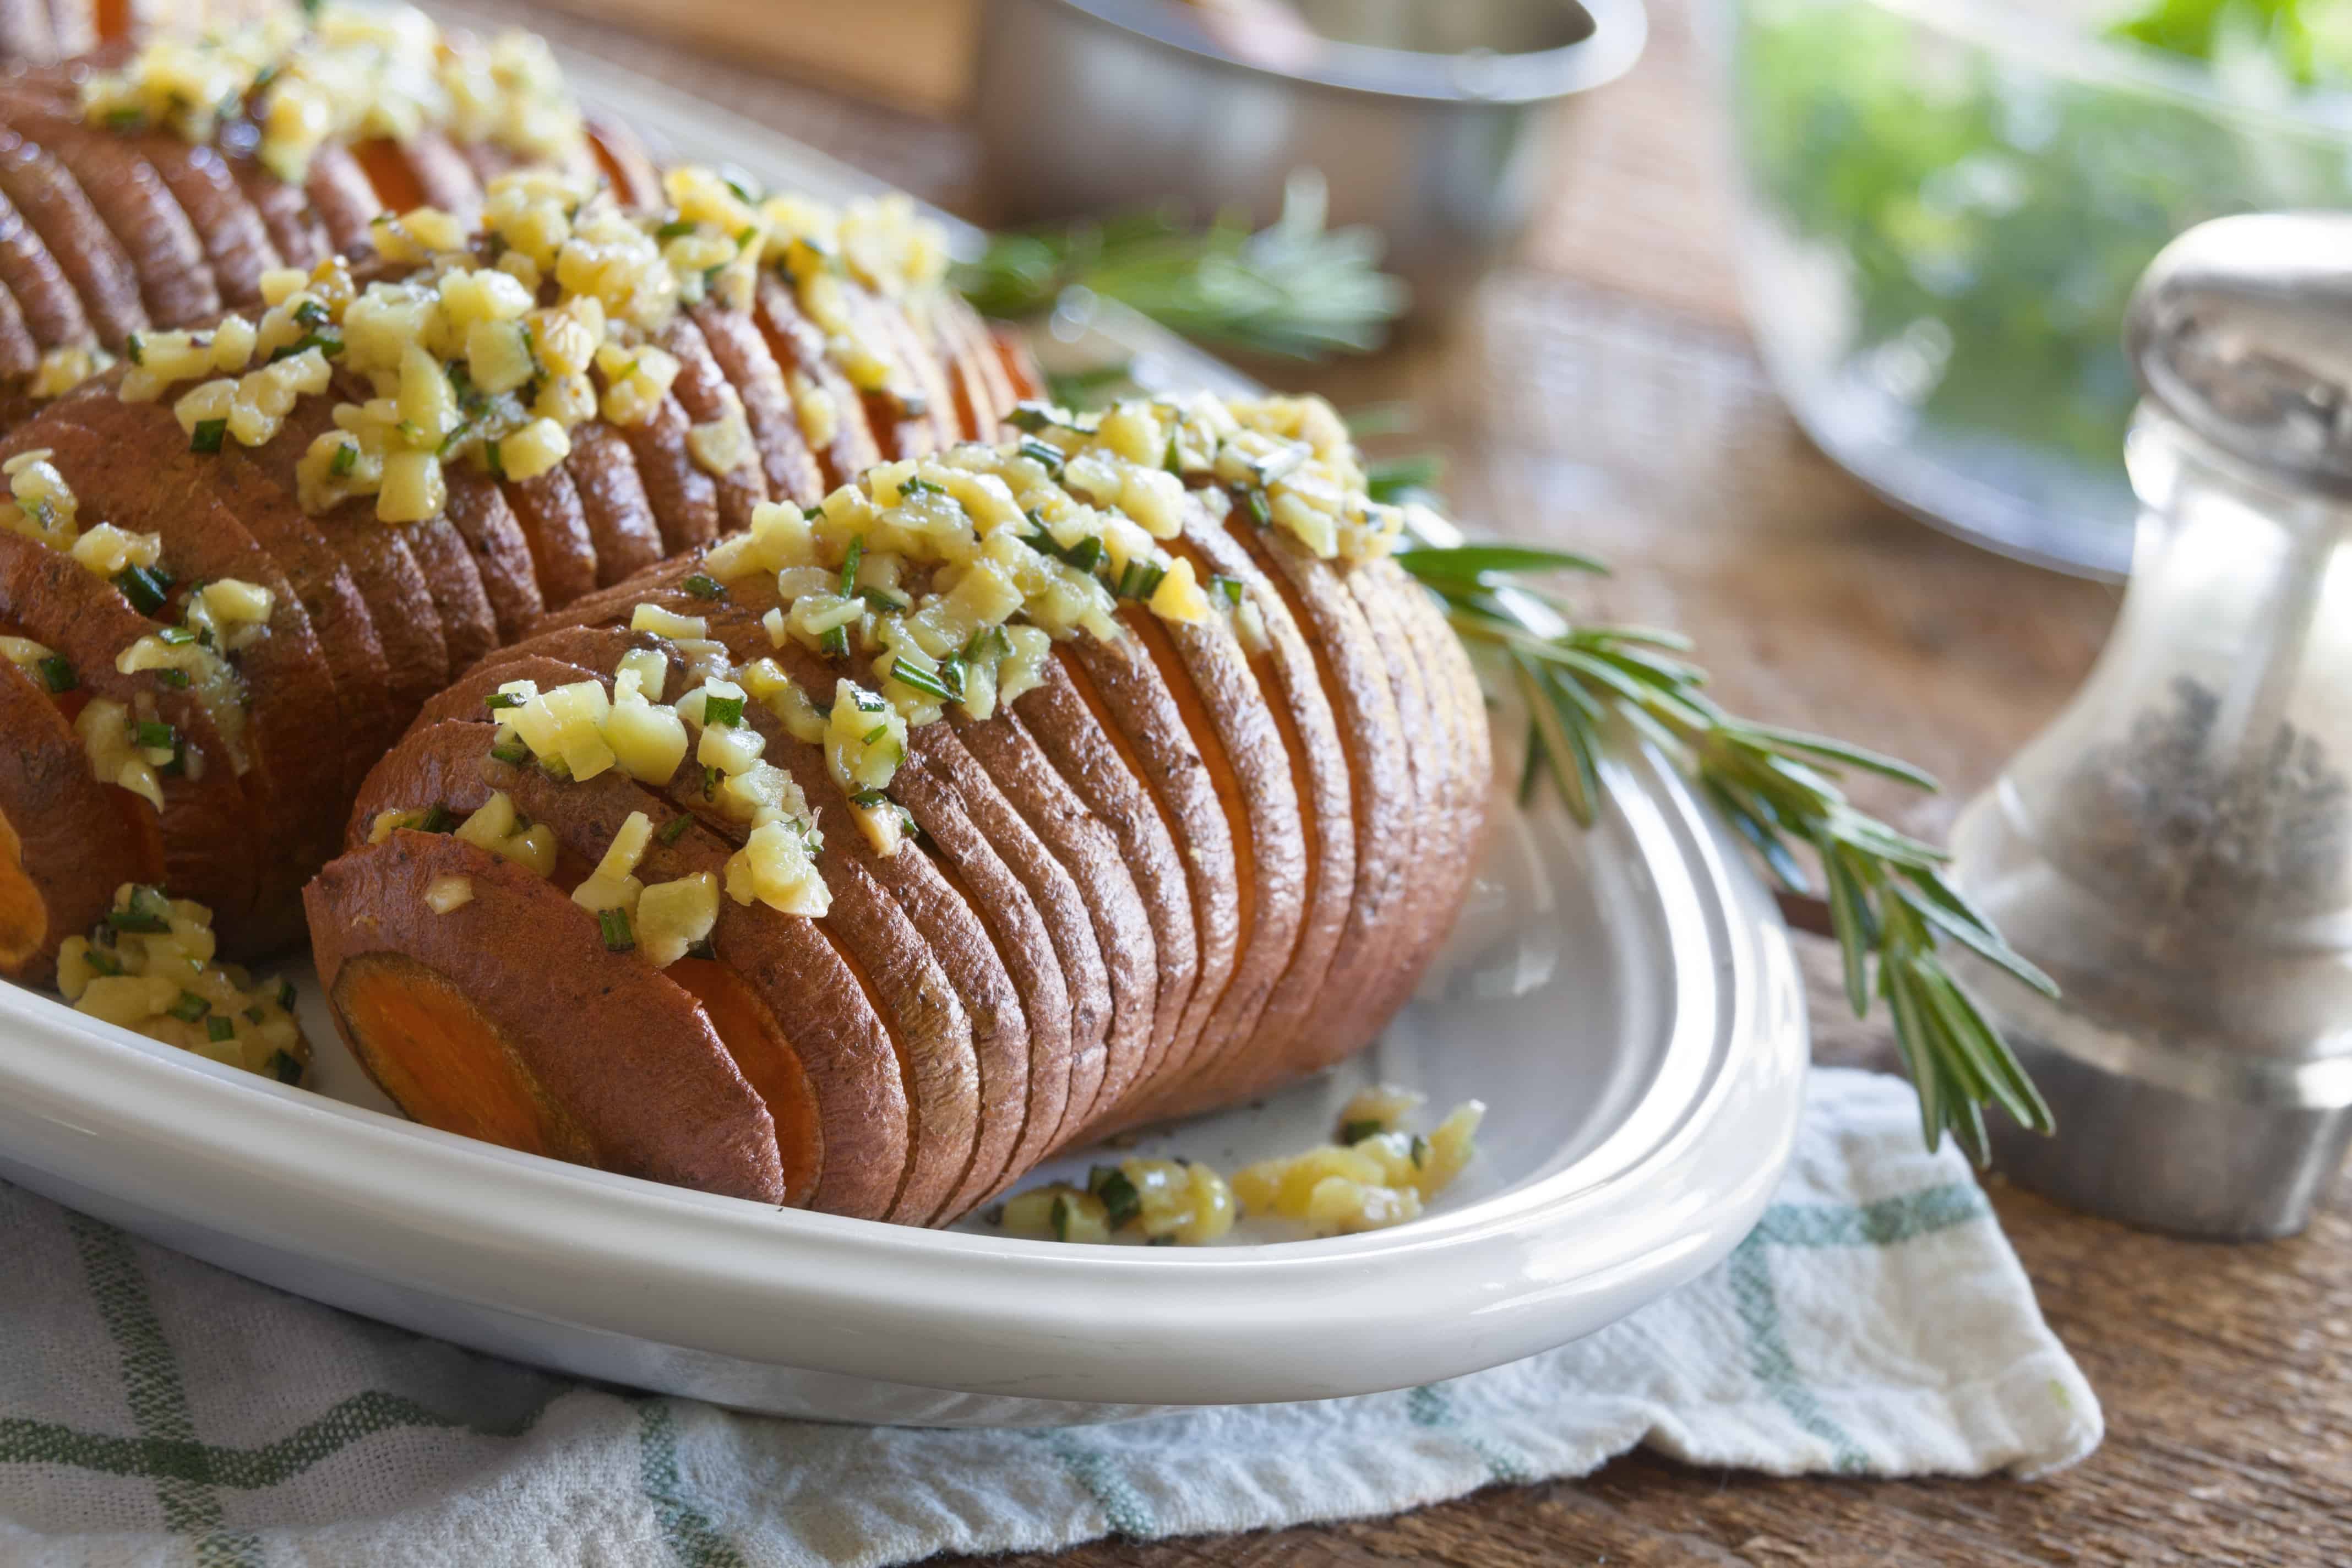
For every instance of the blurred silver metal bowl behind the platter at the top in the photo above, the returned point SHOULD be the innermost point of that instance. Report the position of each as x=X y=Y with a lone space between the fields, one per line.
x=1436 y=123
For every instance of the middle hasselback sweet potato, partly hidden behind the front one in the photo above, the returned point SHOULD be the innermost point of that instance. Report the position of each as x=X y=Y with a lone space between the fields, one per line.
x=370 y=619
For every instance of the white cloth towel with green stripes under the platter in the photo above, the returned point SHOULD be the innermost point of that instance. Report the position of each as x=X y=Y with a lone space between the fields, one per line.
x=159 y=1412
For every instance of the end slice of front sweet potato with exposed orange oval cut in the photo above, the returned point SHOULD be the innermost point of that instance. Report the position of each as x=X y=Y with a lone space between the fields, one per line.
x=568 y=1054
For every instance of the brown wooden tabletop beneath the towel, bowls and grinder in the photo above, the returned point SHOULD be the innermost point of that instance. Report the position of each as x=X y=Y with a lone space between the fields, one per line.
x=1605 y=396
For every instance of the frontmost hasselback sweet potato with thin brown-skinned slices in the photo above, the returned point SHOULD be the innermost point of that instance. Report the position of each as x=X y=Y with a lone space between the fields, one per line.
x=1243 y=753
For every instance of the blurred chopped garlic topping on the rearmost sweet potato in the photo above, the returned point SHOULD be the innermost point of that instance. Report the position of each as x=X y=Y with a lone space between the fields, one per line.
x=283 y=88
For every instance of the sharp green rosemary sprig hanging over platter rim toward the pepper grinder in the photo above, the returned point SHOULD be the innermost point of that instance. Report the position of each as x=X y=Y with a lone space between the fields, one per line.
x=1890 y=904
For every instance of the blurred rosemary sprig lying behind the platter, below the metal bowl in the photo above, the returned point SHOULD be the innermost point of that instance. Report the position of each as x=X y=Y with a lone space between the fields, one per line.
x=1295 y=288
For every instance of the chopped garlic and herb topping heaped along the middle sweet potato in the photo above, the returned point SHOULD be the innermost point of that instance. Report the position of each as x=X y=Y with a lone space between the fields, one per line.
x=502 y=342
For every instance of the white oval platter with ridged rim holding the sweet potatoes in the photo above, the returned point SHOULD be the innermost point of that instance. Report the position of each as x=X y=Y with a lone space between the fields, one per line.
x=1624 y=1000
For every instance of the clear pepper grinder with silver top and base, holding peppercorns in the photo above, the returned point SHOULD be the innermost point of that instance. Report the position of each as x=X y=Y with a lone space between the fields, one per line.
x=2177 y=847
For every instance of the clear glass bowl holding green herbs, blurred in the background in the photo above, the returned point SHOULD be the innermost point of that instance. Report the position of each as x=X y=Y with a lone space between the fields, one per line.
x=1946 y=206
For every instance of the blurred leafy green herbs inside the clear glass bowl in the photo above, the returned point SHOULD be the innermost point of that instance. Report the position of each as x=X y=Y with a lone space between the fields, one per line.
x=1986 y=217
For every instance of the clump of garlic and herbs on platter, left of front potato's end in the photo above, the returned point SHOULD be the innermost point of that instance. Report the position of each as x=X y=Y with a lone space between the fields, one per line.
x=149 y=967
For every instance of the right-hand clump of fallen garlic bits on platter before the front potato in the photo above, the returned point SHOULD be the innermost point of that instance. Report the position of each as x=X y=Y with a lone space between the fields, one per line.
x=1375 y=1177
